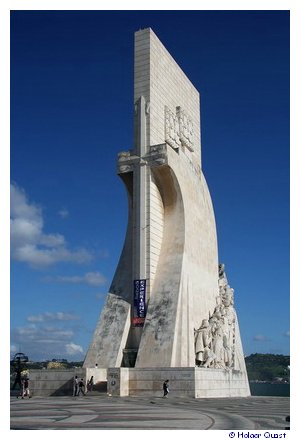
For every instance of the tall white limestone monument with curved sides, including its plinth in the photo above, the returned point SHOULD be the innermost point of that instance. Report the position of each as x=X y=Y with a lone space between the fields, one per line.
x=169 y=312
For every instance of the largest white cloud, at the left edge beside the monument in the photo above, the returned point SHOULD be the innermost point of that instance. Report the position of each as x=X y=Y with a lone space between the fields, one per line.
x=29 y=243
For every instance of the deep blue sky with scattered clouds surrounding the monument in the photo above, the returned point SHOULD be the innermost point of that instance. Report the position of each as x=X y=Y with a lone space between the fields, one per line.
x=72 y=112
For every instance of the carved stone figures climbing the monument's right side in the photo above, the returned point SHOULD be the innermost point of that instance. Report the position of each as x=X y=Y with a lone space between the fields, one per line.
x=214 y=340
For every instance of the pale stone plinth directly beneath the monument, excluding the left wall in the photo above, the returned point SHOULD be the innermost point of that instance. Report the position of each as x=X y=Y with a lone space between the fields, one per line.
x=184 y=382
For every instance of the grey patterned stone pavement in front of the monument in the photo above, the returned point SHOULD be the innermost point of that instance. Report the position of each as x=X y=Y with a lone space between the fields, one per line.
x=103 y=412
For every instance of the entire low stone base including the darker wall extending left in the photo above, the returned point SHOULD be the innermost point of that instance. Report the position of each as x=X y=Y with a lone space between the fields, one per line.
x=184 y=382
